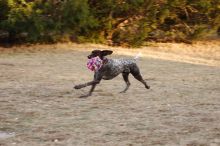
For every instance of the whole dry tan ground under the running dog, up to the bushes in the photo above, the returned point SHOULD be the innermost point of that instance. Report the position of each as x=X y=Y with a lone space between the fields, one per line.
x=39 y=107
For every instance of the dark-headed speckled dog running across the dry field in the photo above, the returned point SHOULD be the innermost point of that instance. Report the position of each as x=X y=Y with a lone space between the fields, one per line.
x=110 y=69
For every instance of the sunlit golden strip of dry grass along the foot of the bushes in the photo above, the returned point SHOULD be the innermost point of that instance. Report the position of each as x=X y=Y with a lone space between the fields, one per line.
x=200 y=52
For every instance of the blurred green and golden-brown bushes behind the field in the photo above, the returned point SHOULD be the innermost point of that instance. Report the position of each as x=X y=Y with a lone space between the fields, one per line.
x=113 y=22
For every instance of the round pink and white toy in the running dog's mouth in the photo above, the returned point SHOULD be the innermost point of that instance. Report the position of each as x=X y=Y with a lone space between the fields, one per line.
x=94 y=64
